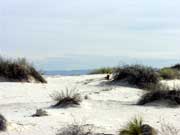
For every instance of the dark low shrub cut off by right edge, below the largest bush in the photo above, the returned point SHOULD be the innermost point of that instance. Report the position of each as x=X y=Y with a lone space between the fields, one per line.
x=164 y=93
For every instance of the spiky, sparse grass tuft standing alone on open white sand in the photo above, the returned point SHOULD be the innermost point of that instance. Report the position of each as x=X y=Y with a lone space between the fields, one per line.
x=66 y=98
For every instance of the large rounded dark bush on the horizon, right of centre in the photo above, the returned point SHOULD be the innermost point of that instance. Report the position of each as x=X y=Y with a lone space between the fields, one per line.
x=137 y=75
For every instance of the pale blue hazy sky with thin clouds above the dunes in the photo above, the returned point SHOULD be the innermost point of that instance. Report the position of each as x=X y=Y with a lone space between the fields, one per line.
x=85 y=34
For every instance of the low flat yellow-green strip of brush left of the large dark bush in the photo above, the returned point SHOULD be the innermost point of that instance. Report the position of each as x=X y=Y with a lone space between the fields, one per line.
x=104 y=70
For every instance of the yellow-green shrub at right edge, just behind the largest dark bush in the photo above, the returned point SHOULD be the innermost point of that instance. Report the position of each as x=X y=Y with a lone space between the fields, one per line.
x=169 y=73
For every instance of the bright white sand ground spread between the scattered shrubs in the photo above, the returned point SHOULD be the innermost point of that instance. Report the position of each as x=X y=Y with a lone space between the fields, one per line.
x=107 y=108
